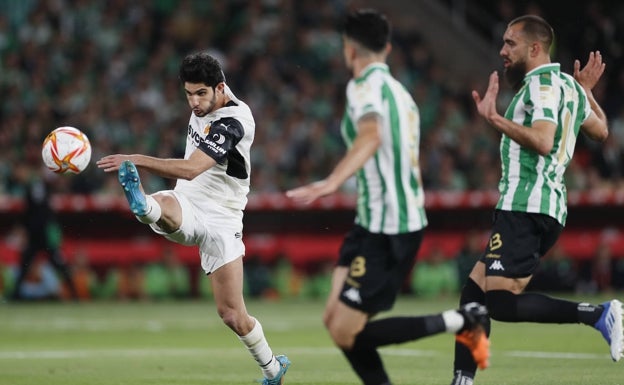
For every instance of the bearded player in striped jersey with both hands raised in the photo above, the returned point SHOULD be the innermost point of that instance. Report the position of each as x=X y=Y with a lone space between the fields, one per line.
x=539 y=132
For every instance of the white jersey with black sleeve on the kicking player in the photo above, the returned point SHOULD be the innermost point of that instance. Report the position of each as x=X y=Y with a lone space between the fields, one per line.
x=225 y=135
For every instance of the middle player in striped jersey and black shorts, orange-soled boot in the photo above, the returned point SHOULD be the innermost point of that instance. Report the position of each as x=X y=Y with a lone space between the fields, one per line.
x=381 y=128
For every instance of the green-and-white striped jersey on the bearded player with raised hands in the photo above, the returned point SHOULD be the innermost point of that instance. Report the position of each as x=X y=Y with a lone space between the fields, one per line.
x=531 y=182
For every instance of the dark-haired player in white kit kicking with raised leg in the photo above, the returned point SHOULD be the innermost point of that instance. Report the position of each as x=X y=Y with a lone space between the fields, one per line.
x=206 y=206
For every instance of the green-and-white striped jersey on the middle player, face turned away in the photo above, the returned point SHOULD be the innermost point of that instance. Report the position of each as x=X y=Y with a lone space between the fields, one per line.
x=390 y=194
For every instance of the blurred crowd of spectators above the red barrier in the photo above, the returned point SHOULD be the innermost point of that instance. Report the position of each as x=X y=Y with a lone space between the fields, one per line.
x=110 y=69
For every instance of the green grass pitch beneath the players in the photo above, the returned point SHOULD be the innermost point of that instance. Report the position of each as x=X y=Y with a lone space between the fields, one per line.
x=185 y=343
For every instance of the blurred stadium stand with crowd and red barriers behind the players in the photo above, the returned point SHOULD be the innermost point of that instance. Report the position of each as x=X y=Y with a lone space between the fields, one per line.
x=110 y=69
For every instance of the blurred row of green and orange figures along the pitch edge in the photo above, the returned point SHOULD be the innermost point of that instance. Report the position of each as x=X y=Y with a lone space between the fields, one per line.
x=436 y=274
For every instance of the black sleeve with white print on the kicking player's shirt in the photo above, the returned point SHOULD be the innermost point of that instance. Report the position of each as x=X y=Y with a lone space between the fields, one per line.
x=223 y=136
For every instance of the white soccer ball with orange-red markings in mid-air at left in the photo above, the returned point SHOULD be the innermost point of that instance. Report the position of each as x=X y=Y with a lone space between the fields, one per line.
x=66 y=150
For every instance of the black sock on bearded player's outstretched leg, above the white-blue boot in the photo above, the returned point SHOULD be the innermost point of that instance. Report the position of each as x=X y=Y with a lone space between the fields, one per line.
x=534 y=307
